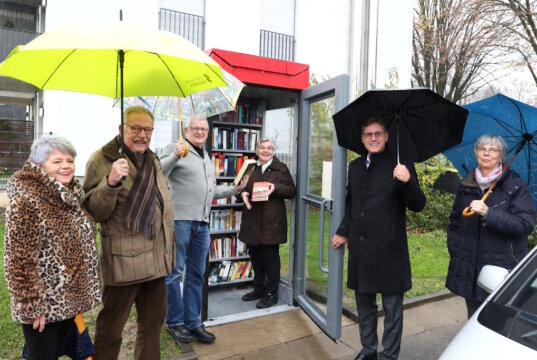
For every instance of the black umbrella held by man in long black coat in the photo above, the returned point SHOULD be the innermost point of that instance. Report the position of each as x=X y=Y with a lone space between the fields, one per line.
x=420 y=122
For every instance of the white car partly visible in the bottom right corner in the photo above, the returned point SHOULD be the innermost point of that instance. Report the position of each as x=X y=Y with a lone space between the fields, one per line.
x=505 y=326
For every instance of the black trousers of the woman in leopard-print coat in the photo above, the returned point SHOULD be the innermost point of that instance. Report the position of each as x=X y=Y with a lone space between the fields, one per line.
x=47 y=344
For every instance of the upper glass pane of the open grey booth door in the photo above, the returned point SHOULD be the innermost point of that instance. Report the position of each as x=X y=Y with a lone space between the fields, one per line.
x=320 y=147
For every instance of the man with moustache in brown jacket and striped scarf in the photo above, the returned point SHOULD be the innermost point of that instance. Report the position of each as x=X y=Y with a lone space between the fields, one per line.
x=129 y=197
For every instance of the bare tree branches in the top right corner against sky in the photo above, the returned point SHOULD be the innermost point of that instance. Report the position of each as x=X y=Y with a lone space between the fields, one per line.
x=519 y=23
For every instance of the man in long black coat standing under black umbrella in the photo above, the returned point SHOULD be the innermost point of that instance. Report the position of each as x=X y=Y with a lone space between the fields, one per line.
x=379 y=190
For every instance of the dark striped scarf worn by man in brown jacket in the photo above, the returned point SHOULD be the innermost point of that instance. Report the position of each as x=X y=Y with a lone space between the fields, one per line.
x=139 y=209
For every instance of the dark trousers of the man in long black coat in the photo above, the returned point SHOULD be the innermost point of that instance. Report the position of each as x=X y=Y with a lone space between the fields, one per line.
x=393 y=324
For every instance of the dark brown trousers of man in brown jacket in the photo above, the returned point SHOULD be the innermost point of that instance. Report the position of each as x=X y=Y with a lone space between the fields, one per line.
x=150 y=300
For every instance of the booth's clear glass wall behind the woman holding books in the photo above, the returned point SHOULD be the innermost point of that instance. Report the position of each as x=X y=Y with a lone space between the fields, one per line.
x=279 y=127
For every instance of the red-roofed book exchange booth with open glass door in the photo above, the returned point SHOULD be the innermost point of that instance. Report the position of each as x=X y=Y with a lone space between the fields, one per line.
x=278 y=103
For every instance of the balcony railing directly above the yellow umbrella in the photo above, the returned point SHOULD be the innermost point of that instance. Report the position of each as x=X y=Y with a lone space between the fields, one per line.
x=187 y=25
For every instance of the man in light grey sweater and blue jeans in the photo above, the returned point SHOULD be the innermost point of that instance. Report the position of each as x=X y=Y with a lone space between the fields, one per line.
x=193 y=183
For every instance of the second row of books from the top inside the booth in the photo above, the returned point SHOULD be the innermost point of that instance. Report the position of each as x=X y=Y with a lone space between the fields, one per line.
x=235 y=139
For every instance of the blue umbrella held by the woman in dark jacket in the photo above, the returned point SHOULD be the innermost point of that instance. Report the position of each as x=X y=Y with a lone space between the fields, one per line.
x=515 y=121
